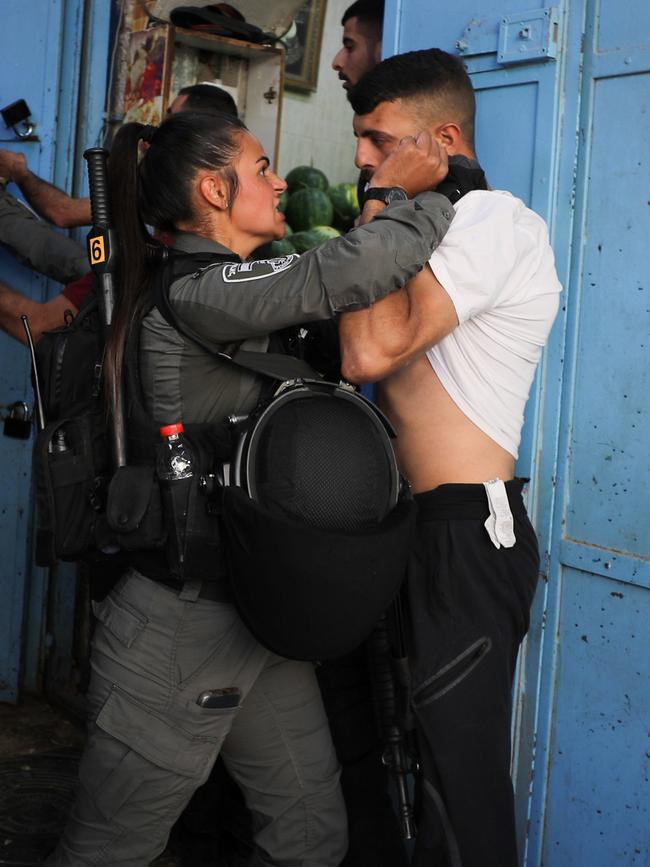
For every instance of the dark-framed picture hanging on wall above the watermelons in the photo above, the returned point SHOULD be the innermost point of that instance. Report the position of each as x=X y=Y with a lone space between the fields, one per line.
x=302 y=42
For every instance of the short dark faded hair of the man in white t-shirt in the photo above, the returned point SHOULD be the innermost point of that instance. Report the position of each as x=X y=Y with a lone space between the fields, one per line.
x=434 y=82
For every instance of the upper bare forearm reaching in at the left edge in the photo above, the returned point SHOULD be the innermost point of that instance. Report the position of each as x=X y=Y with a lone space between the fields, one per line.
x=46 y=199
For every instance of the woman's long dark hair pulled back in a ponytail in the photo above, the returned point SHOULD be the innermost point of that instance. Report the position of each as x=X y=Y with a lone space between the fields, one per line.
x=158 y=191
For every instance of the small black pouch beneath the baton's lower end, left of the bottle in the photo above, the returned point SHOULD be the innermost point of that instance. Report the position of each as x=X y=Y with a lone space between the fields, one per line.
x=134 y=509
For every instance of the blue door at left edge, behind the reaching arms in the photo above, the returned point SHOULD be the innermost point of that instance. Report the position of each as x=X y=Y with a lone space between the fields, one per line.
x=54 y=55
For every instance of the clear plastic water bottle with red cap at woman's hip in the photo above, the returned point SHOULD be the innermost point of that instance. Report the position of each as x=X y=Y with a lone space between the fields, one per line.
x=175 y=470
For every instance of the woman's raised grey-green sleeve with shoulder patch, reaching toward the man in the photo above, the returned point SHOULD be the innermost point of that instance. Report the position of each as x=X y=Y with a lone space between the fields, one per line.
x=346 y=273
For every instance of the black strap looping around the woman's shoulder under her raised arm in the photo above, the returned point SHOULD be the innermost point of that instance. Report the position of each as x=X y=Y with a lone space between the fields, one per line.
x=272 y=365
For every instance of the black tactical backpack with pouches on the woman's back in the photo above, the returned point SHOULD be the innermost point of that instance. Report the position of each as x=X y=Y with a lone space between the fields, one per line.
x=86 y=510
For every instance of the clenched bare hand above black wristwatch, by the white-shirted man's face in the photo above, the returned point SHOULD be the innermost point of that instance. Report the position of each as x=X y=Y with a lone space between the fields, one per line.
x=417 y=164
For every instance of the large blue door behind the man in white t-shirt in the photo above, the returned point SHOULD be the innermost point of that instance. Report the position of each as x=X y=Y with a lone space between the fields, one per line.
x=563 y=96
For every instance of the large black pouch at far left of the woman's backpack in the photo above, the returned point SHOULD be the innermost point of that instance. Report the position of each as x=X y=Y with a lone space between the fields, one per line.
x=69 y=466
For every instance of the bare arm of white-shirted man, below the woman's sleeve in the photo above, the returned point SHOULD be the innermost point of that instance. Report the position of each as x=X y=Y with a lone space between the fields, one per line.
x=378 y=340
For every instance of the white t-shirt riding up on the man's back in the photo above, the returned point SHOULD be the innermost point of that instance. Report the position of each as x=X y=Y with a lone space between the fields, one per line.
x=497 y=266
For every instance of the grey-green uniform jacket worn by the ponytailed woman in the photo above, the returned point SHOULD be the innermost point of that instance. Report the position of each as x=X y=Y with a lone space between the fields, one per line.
x=242 y=303
